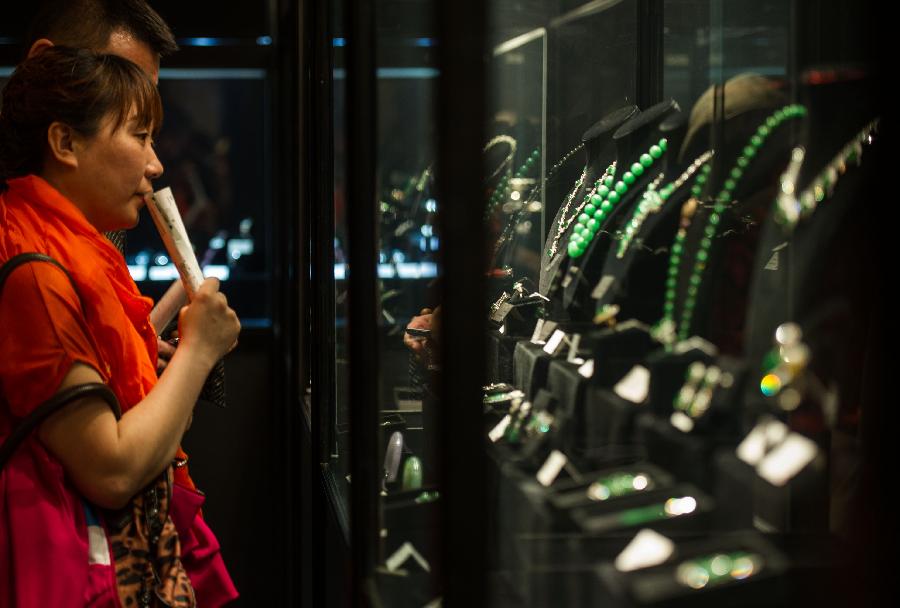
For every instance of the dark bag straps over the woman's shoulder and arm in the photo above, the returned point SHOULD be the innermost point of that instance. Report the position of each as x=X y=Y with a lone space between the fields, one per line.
x=62 y=398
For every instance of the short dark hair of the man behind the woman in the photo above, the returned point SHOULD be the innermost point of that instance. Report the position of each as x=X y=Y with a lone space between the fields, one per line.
x=89 y=24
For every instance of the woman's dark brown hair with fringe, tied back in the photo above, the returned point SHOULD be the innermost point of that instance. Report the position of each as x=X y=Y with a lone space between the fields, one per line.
x=76 y=87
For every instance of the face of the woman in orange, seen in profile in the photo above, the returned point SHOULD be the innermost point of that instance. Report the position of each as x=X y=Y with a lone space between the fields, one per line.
x=114 y=173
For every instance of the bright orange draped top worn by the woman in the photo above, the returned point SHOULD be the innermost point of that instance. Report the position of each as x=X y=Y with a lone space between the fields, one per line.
x=44 y=328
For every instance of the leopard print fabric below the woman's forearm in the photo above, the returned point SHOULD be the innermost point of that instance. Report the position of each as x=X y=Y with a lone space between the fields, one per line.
x=147 y=553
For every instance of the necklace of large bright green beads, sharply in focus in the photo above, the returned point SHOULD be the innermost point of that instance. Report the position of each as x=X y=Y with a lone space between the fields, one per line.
x=605 y=199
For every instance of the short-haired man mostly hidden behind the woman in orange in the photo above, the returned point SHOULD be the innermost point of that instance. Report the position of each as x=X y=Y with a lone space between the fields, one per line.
x=128 y=28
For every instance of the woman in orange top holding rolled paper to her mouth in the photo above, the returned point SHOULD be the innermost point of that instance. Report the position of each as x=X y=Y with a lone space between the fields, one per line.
x=77 y=159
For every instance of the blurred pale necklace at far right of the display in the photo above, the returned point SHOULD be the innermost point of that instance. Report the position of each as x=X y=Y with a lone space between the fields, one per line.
x=790 y=208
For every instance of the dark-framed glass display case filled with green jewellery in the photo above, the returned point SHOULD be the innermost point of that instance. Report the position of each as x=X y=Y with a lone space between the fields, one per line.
x=631 y=364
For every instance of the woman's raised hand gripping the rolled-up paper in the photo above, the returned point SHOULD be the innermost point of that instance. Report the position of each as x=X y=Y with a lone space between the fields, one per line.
x=207 y=327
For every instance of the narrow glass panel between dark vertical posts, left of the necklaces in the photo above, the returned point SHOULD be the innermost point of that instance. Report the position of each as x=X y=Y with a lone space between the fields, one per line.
x=408 y=270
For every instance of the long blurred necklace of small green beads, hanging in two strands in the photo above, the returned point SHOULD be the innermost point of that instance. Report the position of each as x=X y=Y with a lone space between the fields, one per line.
x=666 y=329
